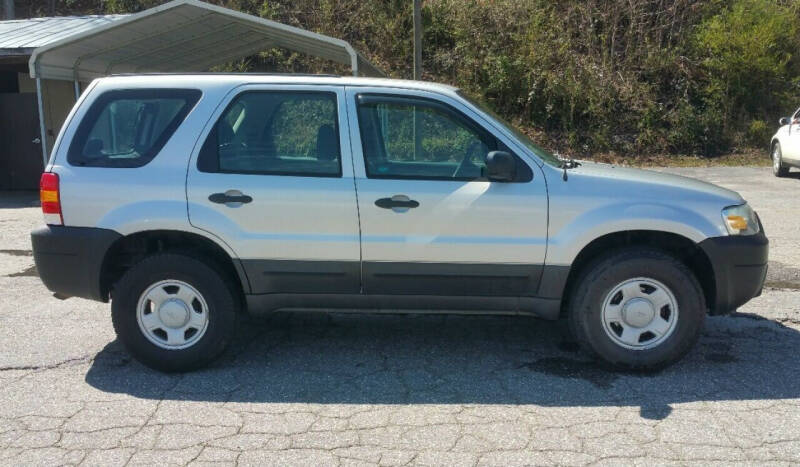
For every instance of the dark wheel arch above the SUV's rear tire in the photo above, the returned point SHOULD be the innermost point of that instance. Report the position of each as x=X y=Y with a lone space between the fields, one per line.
x=131 y=248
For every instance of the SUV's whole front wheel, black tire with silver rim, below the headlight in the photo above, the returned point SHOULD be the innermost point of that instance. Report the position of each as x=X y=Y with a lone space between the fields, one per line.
x=637 y=308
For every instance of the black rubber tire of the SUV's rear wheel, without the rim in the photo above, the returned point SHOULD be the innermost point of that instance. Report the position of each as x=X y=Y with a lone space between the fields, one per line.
x=216 y=290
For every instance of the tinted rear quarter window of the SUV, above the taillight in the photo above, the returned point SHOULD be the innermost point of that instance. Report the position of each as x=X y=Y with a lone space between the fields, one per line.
x=127 y=128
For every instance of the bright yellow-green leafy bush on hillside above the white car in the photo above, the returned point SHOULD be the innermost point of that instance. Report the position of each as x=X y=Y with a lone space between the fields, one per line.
x=748 y=53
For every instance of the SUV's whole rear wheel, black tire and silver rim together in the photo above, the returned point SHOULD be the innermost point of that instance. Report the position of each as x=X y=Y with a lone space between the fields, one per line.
x=173 y=312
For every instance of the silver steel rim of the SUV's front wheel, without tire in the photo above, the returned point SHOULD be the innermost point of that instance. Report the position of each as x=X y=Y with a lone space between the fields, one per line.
x=640 y=313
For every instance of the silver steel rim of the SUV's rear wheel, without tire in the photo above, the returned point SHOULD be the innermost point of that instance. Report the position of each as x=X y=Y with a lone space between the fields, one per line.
x=172 y=314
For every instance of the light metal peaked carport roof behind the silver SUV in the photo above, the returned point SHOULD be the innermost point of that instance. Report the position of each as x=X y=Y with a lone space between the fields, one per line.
x=181 y=36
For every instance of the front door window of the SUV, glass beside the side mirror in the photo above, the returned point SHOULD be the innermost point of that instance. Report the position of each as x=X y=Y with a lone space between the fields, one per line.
x=414 y=138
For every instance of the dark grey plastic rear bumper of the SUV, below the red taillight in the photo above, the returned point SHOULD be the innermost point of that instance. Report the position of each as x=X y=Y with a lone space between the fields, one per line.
x=69 y=259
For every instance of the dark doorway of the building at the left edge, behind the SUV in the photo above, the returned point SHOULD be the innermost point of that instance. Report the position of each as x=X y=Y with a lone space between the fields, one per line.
x=20 y=147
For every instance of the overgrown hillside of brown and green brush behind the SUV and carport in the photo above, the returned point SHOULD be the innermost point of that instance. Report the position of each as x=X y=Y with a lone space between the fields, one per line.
x=628 y=76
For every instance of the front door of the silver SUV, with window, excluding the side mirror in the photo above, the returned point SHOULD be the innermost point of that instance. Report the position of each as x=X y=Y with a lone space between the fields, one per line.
x=431 y=223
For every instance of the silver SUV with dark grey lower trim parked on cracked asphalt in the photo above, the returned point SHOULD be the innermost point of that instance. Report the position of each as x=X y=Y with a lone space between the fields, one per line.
x=187 y=200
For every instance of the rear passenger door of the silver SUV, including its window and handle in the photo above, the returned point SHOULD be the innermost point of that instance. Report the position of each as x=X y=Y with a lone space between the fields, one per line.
x=273 y=179
